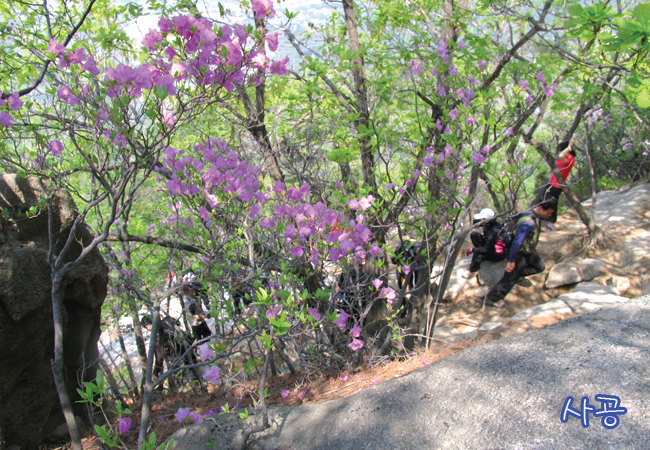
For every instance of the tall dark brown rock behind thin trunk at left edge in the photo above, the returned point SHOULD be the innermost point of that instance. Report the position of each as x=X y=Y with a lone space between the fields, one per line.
x=28 y=399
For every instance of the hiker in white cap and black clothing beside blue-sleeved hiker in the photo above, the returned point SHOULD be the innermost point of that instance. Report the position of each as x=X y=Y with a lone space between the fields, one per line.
x=487 y=246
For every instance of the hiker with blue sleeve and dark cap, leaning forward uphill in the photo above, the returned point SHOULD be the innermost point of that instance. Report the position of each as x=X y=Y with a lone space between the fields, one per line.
x=523 y=259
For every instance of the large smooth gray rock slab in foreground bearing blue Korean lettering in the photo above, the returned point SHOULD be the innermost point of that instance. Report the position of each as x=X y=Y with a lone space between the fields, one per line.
x=507 y=394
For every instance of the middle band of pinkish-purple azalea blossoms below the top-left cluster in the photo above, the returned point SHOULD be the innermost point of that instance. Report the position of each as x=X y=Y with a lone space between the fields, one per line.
x=218 y=175
